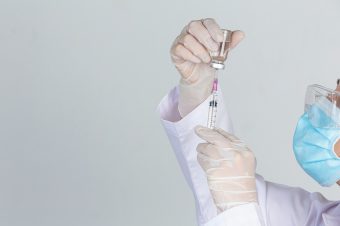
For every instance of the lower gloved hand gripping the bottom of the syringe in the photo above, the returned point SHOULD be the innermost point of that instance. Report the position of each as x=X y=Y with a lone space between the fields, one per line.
x=230 y=168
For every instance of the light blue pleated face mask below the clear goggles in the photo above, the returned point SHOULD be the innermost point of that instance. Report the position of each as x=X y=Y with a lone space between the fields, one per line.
x=314 y=148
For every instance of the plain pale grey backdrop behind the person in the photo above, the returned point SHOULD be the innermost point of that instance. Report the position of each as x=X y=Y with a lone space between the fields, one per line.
x=80 y=141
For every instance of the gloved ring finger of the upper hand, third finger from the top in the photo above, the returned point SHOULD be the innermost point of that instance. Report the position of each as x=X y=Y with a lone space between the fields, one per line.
x=189 y=42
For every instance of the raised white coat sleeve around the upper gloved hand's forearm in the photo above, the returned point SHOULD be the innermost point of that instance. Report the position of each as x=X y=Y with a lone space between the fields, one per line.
x=184 y=141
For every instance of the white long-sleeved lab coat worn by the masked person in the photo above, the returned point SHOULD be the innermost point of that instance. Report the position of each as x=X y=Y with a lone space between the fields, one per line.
x=279 y=205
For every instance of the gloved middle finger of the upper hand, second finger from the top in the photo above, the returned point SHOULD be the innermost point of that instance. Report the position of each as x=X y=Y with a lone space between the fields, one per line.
x=200 y=32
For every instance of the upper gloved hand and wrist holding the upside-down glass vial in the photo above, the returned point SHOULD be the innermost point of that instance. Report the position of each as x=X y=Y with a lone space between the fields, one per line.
x=190 y=55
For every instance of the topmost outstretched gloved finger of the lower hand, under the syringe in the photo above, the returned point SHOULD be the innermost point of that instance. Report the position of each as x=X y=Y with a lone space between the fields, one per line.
x=212 y=136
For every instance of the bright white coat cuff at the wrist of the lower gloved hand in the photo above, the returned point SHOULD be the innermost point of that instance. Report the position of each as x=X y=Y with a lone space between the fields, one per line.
x=242 y=215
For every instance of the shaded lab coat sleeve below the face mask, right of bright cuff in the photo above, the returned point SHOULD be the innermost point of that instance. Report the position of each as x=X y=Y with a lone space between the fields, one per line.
x=295 y=206
